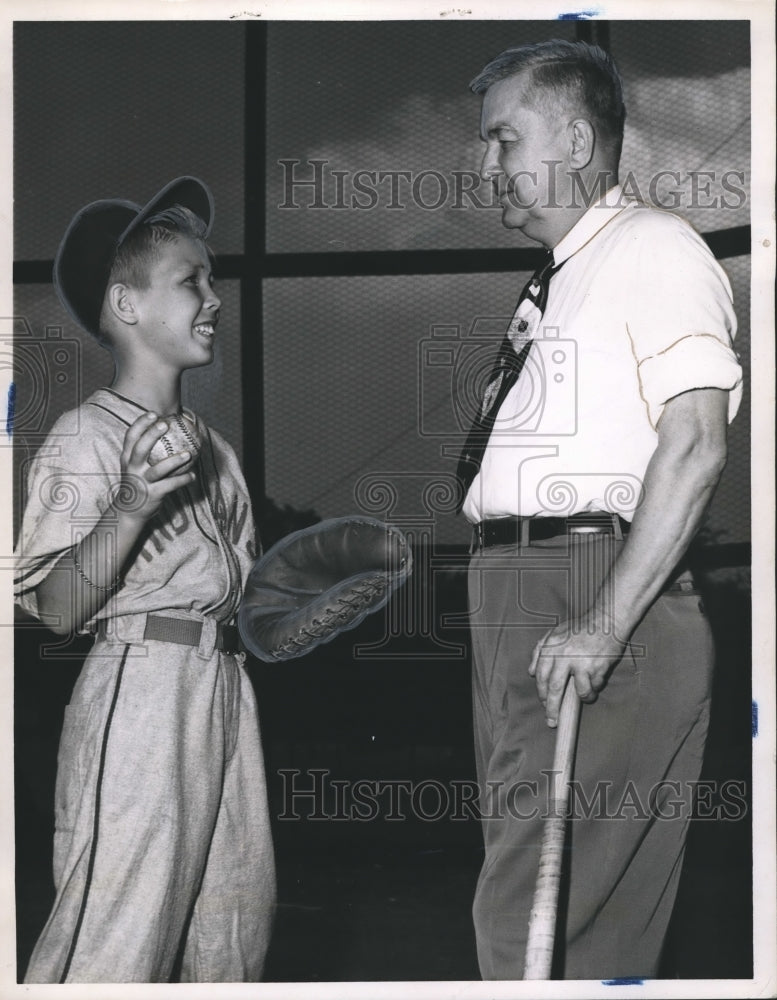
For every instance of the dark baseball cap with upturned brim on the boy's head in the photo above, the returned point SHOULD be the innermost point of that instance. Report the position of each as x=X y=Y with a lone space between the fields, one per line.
x=85 y=256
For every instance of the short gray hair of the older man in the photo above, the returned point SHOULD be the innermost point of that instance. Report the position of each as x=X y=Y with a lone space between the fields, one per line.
x=575 y=74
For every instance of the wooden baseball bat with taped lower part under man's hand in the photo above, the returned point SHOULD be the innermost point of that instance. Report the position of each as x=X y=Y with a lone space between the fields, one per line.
x=542 y=921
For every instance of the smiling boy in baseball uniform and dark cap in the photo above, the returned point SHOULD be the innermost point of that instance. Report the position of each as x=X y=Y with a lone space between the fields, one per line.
x=162 y=849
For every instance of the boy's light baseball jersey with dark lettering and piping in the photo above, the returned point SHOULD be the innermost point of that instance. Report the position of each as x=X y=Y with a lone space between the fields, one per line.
x=195 y=552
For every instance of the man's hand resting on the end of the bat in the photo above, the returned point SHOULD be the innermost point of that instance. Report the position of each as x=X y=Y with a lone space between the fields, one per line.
x=587 y=648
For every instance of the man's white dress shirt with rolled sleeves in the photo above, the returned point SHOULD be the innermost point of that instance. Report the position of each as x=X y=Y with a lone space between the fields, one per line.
x=639 y=313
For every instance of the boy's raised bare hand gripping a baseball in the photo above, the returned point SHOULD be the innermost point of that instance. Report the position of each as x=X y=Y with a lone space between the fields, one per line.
x=145 y=486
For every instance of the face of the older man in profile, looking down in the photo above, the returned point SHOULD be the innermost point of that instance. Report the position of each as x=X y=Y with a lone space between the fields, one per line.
x=525 y=159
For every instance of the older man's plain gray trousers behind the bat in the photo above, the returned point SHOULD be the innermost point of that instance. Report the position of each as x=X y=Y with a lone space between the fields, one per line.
x=639 y=751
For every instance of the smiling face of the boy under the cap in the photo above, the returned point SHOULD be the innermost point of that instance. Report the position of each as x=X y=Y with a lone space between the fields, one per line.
x=178 y=312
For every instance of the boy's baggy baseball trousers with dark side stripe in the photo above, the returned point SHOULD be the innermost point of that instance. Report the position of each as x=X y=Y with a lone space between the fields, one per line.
x=162 y=841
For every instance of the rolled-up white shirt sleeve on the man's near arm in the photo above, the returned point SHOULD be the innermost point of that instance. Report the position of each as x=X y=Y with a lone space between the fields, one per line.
x=681 y=319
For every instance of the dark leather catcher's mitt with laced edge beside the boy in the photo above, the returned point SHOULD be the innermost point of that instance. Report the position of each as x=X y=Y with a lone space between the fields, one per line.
x=315 y=583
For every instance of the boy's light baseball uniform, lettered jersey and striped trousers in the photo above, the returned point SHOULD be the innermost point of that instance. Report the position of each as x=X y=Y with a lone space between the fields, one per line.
x=162 y=839
